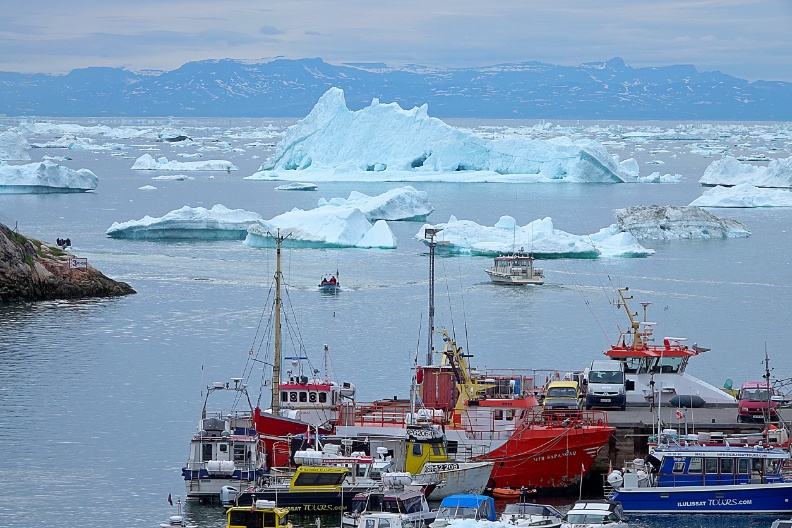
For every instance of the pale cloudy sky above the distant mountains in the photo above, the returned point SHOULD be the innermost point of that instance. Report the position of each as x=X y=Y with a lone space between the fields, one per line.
x=751 y=39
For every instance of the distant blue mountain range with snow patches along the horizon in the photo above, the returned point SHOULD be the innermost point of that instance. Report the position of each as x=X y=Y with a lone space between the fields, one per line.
x=290 y=88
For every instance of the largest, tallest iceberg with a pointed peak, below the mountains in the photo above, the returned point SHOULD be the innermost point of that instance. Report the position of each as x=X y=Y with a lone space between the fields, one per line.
x=383 y=142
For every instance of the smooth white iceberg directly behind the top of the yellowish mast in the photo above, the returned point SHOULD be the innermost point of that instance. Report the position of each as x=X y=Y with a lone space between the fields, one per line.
x=322 y=227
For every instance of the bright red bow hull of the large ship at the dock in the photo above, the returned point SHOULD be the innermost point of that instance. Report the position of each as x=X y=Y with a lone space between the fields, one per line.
x=542 y=457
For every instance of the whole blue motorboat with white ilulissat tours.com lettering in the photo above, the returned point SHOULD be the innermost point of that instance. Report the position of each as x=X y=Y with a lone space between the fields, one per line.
x=706 y=479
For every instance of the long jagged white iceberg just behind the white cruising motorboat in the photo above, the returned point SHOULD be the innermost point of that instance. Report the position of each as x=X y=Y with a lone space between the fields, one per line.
x=539 y=237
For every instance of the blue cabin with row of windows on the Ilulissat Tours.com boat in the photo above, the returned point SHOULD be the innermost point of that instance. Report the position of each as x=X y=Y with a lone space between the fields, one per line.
x=716 y=465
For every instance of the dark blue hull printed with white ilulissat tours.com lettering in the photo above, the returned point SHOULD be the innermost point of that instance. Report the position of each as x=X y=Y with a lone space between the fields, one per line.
x=743 y=498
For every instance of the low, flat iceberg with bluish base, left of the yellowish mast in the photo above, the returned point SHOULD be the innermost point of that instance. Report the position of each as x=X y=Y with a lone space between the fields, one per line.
x=217 y=223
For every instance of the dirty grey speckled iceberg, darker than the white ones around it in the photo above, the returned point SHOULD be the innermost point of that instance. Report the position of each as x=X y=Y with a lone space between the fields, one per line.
x=655 y=222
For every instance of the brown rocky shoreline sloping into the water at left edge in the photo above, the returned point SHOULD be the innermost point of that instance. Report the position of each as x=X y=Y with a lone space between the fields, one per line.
x=32 y=270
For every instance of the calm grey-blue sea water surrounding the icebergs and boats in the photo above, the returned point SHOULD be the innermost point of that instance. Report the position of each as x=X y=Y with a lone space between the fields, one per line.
x=99 y=398
